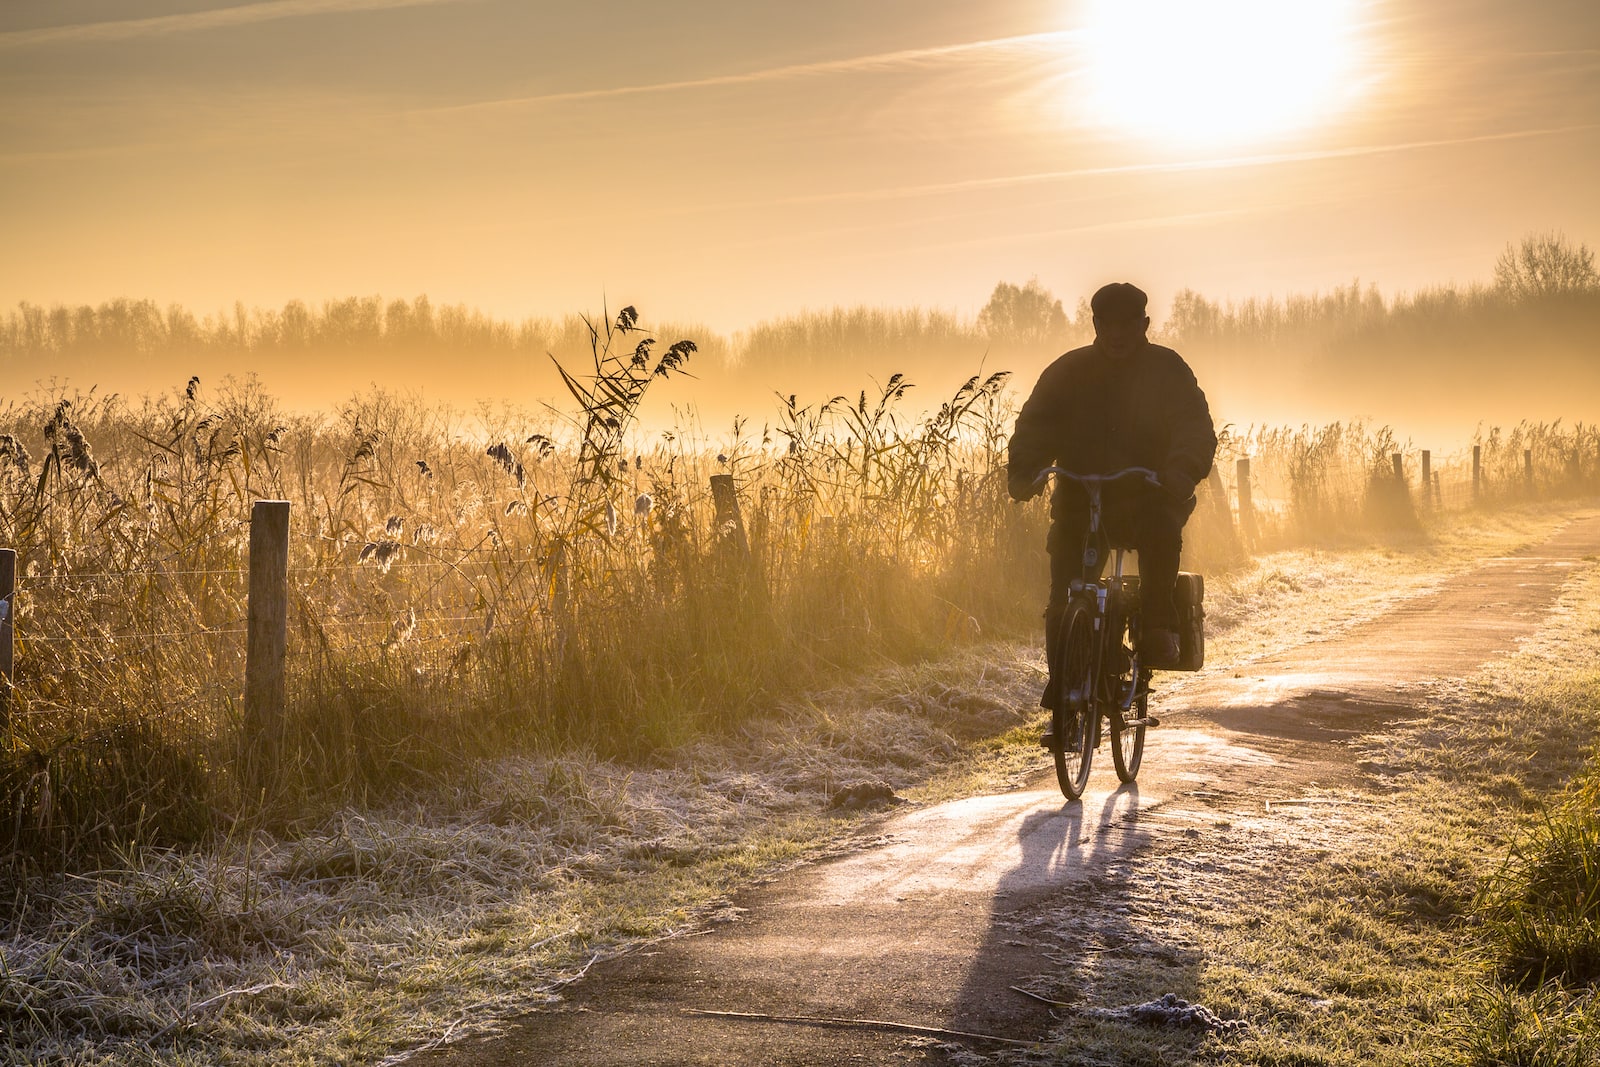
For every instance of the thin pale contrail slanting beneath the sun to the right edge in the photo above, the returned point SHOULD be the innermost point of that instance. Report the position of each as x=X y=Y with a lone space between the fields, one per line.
x=1180 y=166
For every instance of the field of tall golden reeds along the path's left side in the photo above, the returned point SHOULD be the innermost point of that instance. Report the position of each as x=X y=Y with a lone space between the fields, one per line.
x=546 y=581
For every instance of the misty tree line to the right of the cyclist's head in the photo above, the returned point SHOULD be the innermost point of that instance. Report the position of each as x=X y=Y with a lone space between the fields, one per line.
x=1532 y=332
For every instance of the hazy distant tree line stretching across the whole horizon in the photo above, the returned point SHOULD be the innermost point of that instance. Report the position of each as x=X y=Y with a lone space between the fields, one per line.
x=1540 y=314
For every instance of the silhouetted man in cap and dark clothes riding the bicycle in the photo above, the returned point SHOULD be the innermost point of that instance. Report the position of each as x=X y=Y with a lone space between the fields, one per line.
x=1121 y=402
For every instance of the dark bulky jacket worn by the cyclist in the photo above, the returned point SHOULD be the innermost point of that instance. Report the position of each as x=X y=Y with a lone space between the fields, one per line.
x=1097 y=414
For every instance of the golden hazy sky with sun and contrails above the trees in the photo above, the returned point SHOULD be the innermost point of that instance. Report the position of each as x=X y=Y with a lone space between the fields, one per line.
x=726 y=162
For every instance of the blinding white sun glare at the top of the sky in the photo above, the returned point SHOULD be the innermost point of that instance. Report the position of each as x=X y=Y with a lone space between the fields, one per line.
x=1217 y=73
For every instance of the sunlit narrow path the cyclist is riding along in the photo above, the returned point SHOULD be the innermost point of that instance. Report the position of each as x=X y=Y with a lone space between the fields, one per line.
x=926 y=927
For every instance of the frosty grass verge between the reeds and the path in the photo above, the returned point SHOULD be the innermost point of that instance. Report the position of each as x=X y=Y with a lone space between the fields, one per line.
x=375 y=932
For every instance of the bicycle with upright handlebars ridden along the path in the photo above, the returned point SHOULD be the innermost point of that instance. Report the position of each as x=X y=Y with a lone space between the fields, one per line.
x=1095 y=658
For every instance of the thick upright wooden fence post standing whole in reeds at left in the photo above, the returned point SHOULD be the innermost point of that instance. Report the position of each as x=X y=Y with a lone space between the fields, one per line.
x=266 y=634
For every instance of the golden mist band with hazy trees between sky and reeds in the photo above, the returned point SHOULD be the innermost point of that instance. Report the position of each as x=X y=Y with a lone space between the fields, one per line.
x=1439 y=364
